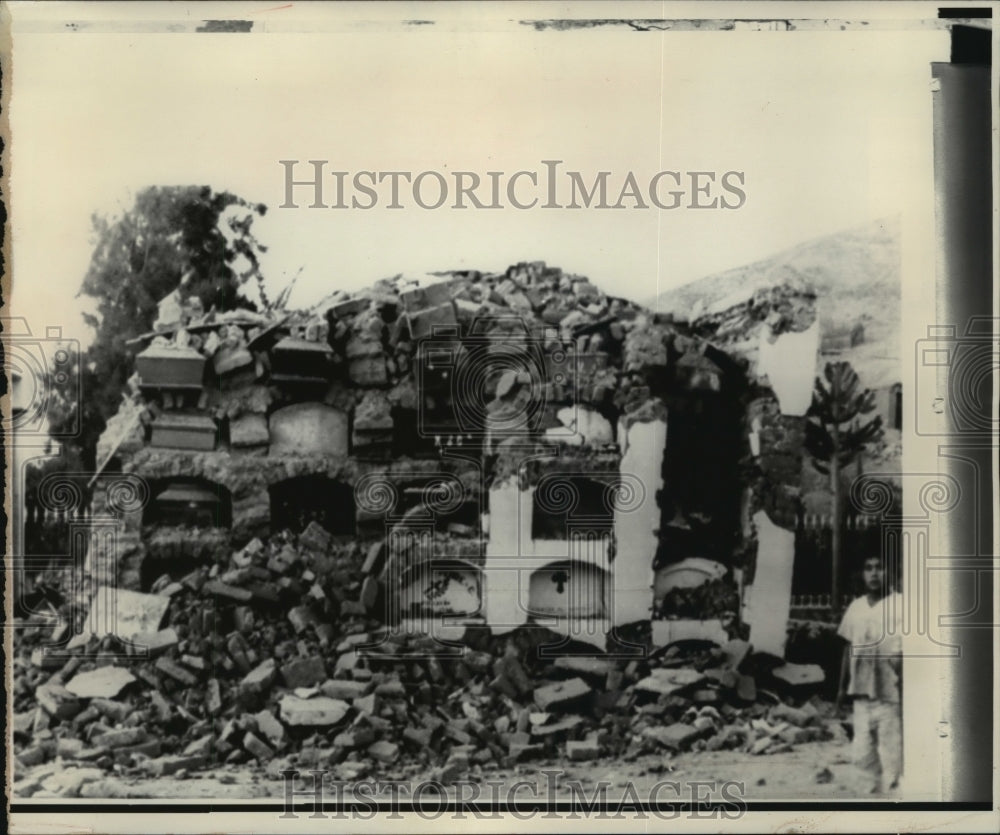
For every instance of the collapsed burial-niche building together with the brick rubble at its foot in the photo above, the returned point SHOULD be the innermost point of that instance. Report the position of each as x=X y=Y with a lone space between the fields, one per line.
x=320 y=575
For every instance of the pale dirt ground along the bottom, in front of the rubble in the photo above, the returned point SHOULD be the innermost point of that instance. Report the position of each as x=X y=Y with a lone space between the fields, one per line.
x=810 y=771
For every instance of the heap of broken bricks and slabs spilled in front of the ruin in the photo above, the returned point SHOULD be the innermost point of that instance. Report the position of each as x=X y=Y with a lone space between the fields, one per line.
x=270 y=657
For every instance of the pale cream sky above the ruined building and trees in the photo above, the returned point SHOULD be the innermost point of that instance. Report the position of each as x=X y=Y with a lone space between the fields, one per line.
x=828 y=128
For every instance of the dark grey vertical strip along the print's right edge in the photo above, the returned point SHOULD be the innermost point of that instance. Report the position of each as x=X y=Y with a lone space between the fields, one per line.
x=963 y=184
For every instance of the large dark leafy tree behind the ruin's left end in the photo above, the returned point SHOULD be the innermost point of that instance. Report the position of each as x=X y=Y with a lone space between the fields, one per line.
x=172 y=232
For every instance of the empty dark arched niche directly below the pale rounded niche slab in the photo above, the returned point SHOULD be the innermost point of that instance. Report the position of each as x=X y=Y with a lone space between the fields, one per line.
x=296 y=502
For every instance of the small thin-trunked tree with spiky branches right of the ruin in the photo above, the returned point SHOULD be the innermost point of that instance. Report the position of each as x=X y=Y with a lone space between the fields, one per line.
x=836 y=433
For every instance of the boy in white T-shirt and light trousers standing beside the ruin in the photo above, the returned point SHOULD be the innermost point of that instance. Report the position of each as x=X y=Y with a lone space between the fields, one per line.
x=871 y=674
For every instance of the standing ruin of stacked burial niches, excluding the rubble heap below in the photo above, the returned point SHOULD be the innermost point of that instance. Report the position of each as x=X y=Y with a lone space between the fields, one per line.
x=486 y=451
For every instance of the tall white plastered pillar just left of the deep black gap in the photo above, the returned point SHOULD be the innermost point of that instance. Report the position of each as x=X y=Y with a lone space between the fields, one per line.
x=637 y=522
